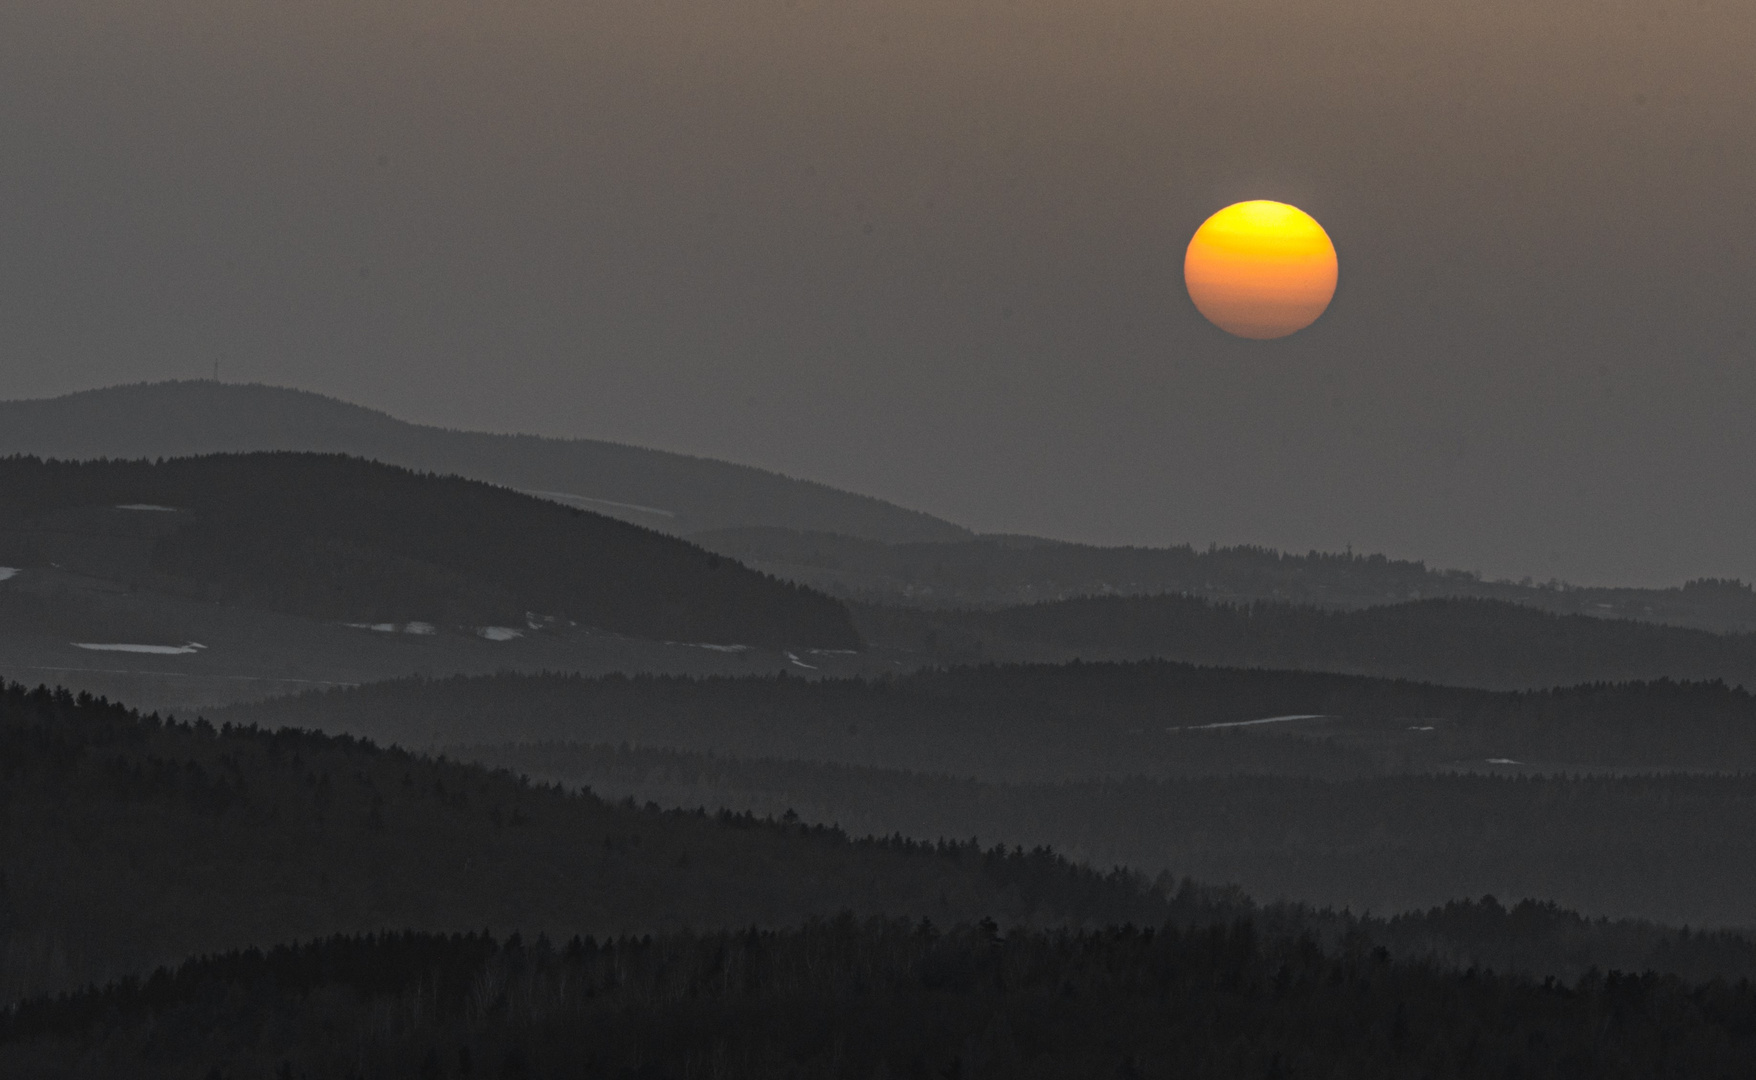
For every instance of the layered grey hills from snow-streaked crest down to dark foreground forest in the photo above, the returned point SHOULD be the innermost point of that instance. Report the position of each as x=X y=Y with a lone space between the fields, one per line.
x=1344 y=791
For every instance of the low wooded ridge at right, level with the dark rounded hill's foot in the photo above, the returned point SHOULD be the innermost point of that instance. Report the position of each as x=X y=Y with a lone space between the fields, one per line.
x=1465 y=644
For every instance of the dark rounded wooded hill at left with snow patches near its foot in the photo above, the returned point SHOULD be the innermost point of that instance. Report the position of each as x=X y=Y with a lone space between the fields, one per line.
x=347 y=540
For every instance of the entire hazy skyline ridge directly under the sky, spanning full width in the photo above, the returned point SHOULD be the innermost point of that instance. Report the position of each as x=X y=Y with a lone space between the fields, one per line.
x=849 y=545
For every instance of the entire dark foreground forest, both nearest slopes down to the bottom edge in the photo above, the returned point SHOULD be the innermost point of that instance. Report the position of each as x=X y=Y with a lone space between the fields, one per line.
x=133 y=842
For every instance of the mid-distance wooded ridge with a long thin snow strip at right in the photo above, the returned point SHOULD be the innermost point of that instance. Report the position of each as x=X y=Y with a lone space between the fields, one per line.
x=1063 y=723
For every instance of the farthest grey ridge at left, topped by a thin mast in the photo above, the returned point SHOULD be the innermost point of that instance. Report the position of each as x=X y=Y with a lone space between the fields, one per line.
x=663 y=491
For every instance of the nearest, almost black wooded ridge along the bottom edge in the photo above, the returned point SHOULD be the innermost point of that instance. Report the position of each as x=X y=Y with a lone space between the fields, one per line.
x=875 y=998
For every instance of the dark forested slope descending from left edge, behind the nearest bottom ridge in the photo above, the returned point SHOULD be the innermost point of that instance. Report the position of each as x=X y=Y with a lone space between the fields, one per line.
x=131 y=842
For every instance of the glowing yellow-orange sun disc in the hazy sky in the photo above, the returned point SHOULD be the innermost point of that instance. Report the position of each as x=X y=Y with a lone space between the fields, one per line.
x=1262 y=270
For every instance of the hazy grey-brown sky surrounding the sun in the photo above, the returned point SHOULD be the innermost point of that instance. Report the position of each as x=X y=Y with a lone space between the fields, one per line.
x=932 y=250
